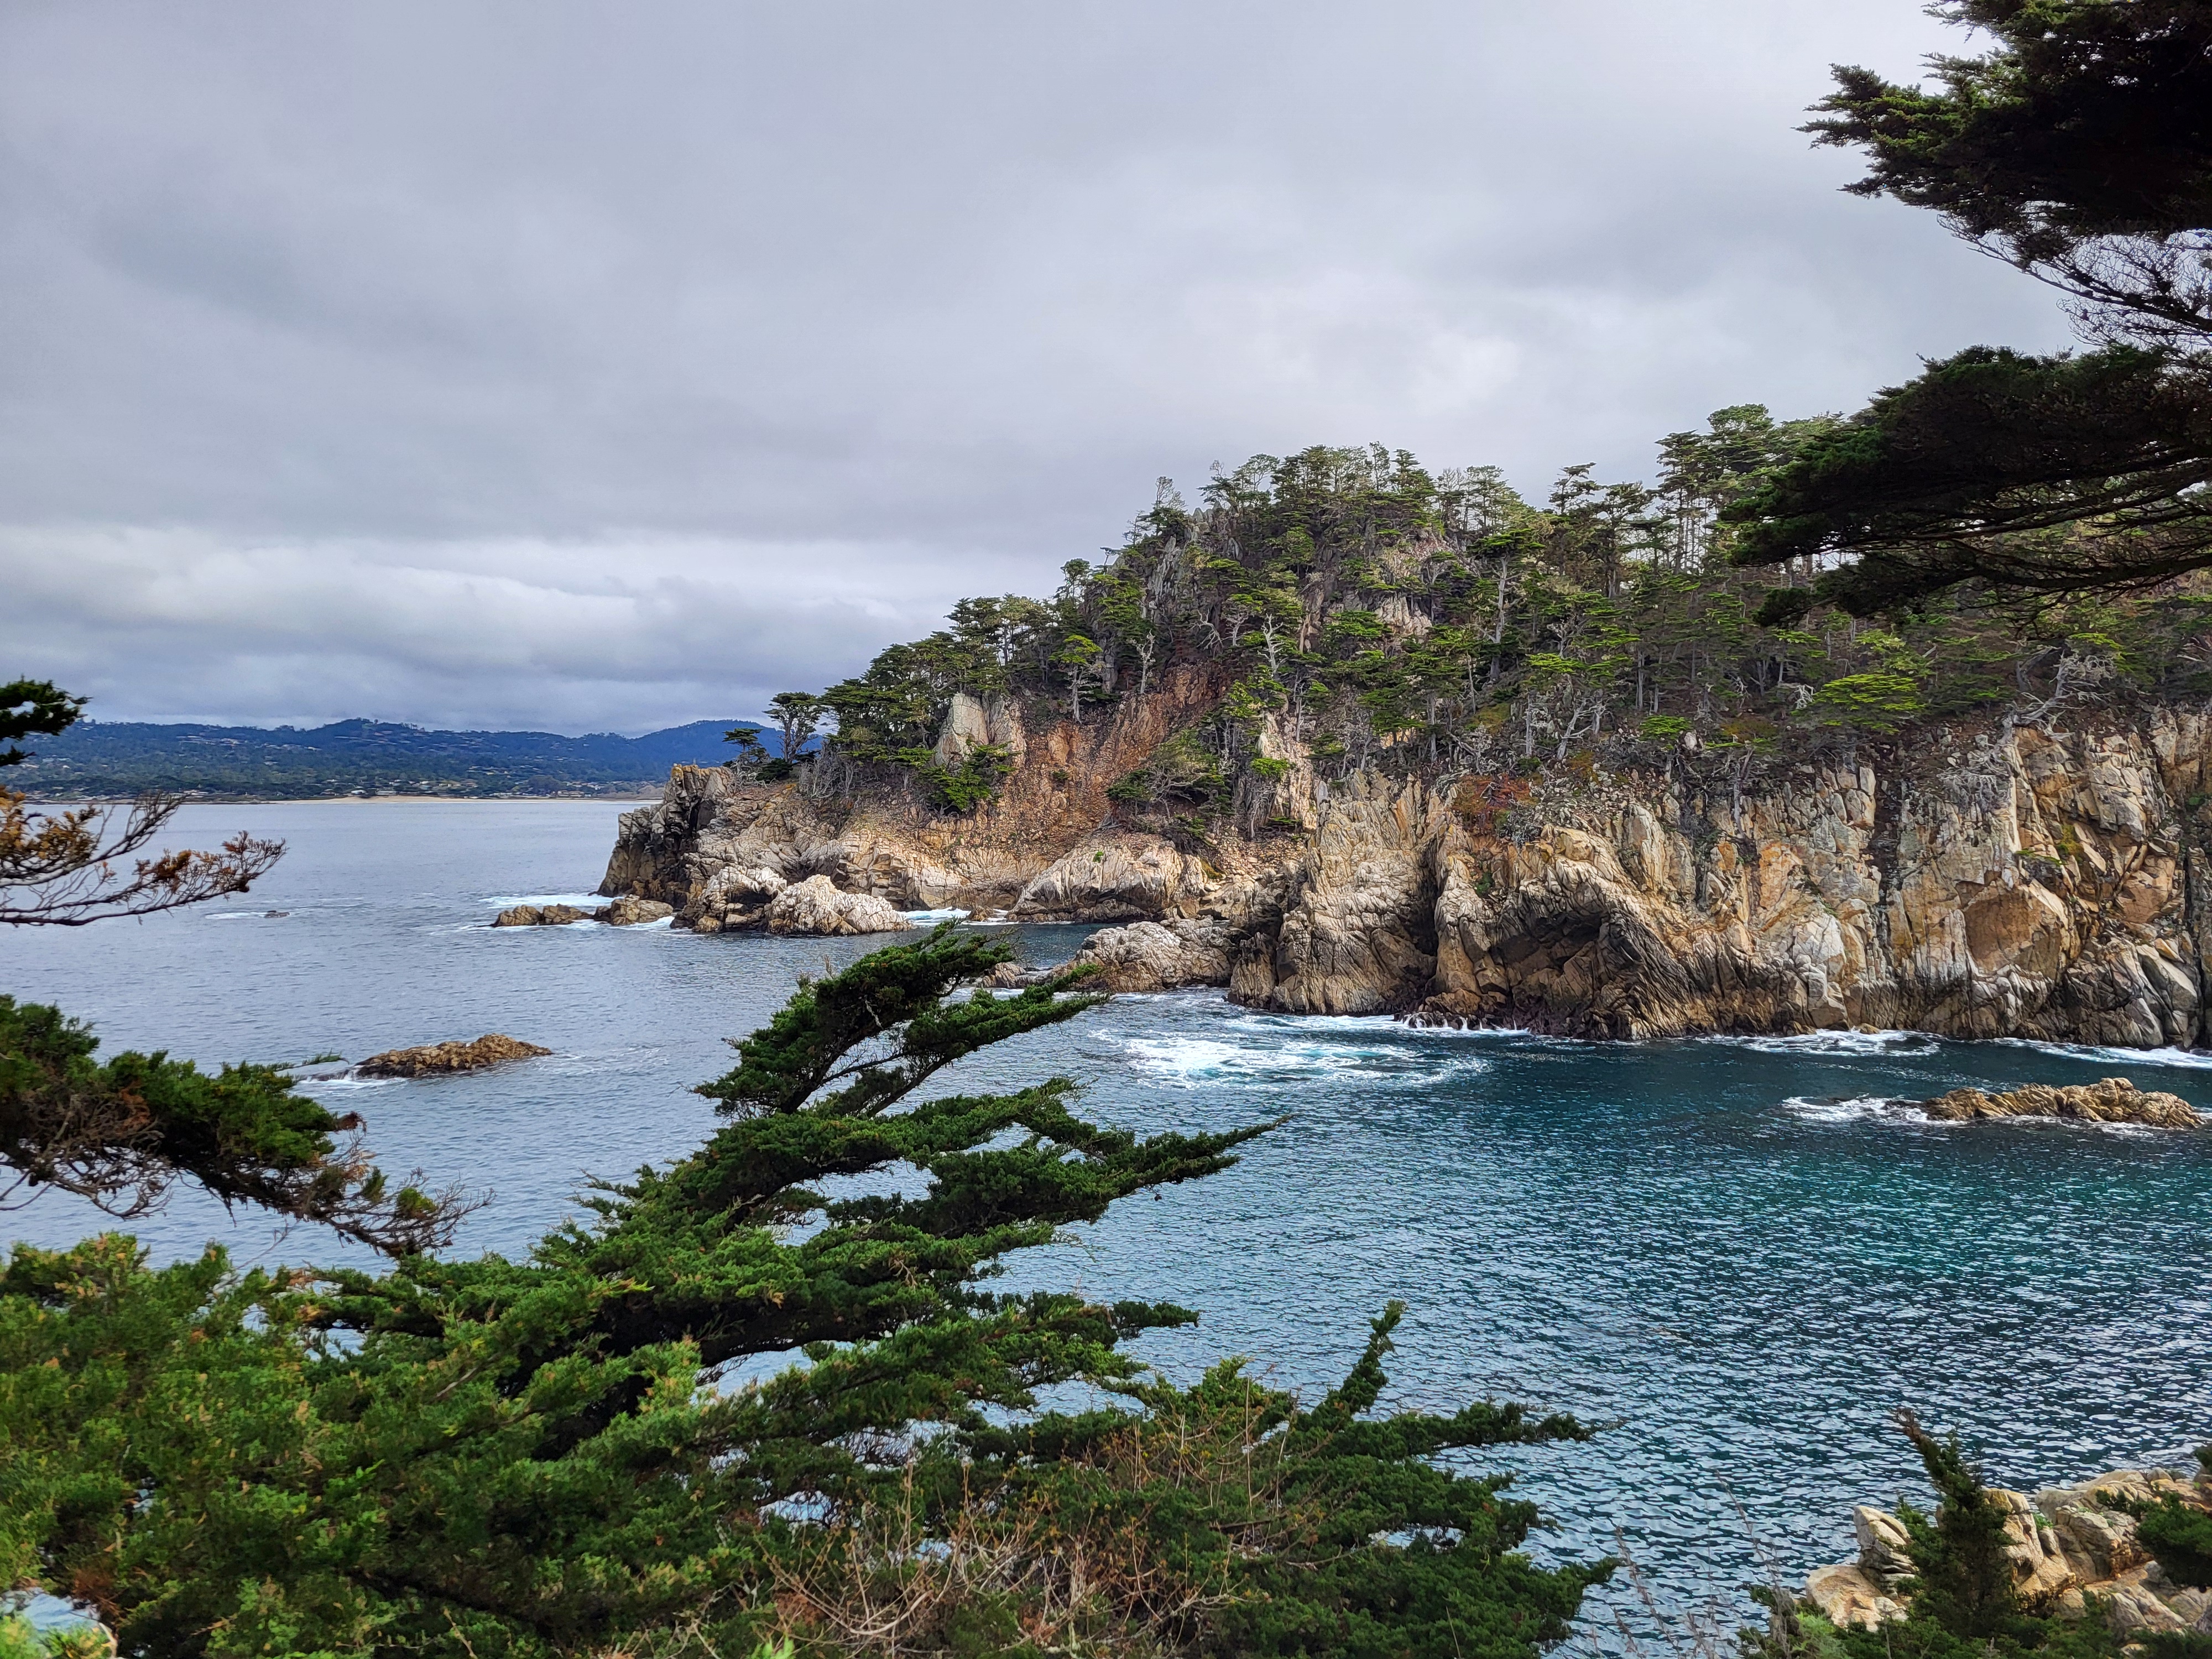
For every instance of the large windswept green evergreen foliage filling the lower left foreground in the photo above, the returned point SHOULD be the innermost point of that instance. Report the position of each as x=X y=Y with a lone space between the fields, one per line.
x=552 y=1457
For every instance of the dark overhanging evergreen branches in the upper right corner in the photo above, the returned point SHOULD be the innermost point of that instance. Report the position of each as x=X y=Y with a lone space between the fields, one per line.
x=2080 y=152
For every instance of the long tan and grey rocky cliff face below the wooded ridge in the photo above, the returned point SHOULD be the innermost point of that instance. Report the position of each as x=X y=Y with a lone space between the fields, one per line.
x=1976 y=881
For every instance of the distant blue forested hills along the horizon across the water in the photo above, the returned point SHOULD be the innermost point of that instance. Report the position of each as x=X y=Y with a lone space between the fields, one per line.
x=98 y=760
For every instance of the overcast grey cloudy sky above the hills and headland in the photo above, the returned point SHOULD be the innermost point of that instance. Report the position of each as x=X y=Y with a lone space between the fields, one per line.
x=614 y=366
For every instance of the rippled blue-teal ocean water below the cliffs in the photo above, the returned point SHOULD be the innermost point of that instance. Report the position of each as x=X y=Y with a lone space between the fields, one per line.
x=1731 y=1251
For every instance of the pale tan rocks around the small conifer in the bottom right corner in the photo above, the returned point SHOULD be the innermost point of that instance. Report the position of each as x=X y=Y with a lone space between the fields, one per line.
x=2065 y=1545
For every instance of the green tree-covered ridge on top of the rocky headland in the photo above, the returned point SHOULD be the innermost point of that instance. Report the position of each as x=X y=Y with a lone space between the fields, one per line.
x=1364 y=612
